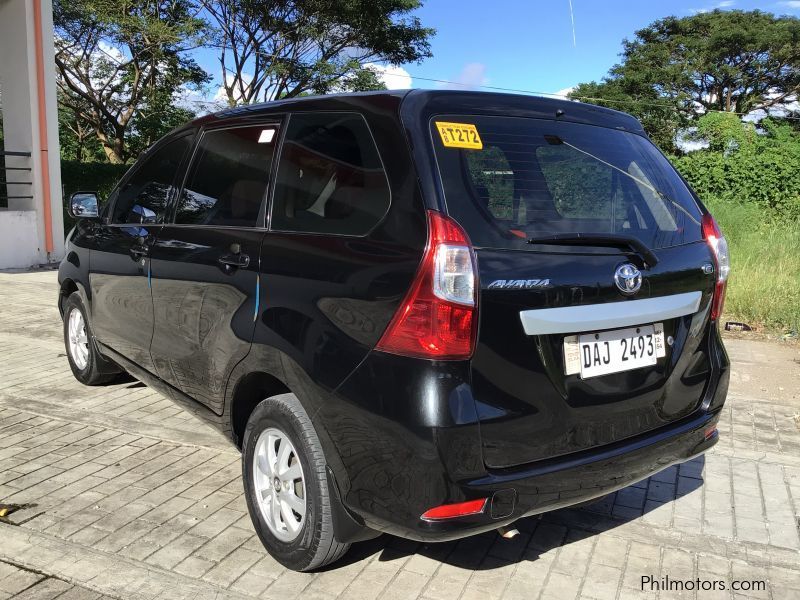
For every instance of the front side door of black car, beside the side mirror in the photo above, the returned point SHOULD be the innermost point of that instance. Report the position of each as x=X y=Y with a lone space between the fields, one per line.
x=122 y=307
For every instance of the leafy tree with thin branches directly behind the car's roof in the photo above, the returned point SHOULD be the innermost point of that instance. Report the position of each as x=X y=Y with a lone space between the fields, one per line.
x=271 y=49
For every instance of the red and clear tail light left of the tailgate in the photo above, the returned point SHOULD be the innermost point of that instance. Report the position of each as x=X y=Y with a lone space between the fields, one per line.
x=438 y=317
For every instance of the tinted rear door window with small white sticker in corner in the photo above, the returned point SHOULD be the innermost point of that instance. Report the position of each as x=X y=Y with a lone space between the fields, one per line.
x=228 y=178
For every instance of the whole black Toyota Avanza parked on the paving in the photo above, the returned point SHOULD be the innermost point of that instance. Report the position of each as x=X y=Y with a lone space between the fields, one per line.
x=426 y=313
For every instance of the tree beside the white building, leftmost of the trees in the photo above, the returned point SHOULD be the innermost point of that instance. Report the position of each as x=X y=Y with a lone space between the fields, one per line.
x=119 y=61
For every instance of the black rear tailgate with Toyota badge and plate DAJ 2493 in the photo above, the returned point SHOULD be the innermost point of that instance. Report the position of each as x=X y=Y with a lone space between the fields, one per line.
x=595 y=285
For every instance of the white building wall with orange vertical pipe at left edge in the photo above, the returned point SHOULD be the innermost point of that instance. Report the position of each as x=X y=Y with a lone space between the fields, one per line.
x=21 y=133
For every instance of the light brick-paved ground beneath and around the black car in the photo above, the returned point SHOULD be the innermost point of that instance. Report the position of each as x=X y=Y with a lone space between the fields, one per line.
x=130 y=497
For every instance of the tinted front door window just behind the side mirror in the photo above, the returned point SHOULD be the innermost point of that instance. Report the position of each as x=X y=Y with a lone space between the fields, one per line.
x=144 y=197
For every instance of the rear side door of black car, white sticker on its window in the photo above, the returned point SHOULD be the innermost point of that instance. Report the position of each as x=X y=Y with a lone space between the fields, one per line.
x=204 y=266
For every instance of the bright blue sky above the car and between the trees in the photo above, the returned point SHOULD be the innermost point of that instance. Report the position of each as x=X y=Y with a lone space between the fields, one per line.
x=528 y=44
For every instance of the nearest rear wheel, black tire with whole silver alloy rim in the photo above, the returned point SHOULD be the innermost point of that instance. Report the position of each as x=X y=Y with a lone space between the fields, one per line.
x=283 y=467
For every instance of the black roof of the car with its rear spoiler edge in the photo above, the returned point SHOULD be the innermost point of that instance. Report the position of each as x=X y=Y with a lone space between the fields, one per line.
x=422 y=104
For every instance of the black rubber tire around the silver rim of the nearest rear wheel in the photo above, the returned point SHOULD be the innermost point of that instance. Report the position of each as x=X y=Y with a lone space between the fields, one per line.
x=315 y=546
